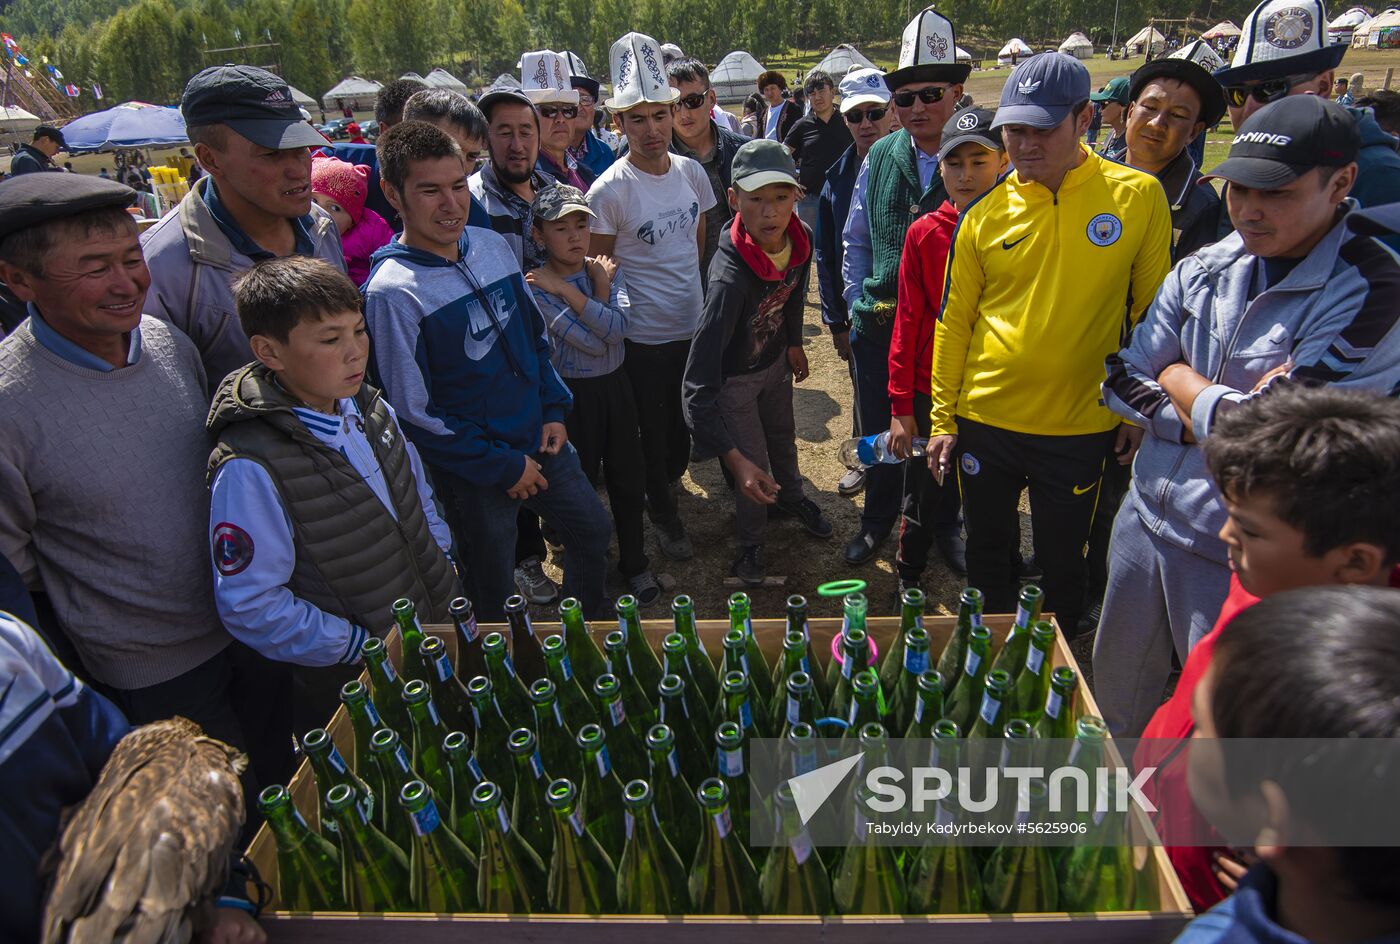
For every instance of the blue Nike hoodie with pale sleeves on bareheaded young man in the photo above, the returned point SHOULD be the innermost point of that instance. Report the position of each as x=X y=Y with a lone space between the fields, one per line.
x=461 y=352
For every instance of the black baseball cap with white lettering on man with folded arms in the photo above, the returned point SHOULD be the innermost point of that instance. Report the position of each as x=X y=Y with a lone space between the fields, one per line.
x=1286 y=139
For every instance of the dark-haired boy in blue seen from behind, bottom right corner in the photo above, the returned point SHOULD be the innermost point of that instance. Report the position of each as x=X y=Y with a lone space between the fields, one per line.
x=1339 y=646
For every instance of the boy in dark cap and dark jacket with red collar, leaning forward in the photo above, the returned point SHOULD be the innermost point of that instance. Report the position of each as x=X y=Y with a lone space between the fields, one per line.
x=748 y=351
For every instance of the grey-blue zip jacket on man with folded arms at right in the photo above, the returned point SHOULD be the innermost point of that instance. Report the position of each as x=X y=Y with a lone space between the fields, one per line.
x=1333 y=317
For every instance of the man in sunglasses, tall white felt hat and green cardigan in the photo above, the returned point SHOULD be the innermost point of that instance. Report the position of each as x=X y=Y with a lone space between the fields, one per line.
x=898 y=184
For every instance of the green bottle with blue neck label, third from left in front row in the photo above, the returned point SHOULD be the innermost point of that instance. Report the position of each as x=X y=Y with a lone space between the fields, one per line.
x=442 y=869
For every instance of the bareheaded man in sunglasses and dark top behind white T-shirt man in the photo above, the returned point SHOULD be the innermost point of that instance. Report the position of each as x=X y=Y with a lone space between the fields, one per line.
x=696 y=135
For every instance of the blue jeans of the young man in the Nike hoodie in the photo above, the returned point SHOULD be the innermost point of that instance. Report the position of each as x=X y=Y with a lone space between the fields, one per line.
x=484 y=525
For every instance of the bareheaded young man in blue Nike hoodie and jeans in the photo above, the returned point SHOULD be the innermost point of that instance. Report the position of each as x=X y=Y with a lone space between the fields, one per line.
x=461 y=349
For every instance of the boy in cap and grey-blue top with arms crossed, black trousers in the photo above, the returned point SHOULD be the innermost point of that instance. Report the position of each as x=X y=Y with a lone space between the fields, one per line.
x=584 y=302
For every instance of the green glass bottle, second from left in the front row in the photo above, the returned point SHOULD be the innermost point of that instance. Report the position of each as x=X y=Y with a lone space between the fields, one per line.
x=374 y=873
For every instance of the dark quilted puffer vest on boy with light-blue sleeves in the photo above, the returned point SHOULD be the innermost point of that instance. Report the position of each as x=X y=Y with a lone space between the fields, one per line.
x=353 y=558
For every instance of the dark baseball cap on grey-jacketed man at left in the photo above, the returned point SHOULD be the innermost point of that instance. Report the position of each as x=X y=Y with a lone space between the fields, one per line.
x=253 y=103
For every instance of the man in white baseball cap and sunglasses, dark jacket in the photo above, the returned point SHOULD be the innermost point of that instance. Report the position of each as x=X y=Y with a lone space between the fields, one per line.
x=867 y=113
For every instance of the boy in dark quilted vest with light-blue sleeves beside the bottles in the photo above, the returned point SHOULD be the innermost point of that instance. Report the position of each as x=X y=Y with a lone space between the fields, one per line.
x=321 y=516
